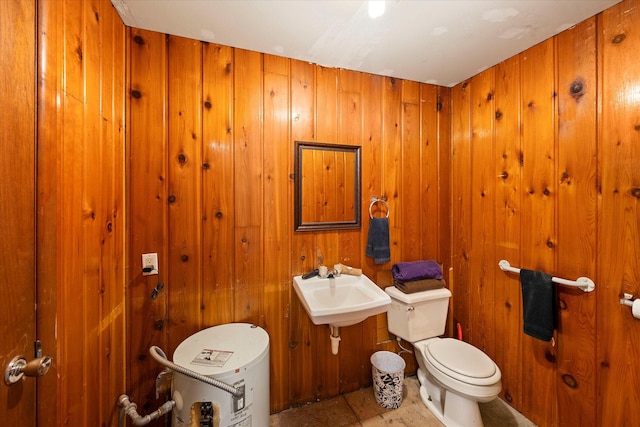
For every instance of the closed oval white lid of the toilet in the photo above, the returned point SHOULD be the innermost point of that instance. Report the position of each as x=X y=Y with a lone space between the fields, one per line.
x=455 y=358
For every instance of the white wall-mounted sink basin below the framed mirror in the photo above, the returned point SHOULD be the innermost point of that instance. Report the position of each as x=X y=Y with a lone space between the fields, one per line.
x=341 y=301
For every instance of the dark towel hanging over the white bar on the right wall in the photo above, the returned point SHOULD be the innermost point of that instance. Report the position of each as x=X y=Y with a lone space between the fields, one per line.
x=538 y=304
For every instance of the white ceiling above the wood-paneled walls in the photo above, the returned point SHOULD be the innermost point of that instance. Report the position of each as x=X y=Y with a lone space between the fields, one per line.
x=432 y=41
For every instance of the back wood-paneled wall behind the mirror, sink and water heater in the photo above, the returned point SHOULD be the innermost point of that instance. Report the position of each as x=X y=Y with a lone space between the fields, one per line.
x=212 y=132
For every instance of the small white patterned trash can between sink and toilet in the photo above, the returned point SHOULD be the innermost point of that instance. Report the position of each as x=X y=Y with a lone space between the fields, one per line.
x=388 y=378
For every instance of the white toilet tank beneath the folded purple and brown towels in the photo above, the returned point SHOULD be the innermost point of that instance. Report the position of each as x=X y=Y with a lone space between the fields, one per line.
x=417 y=316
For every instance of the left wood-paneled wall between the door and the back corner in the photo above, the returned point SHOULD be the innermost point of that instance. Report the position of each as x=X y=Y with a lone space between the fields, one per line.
x=81 y=210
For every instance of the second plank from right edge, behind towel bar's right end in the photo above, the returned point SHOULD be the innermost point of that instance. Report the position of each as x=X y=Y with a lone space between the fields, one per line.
x=577 y=217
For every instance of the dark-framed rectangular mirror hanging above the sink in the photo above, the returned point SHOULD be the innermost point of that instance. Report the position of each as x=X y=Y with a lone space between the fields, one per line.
x=327 y=186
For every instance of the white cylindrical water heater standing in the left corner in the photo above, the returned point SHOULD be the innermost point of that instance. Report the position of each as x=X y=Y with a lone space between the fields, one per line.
x=236 y=354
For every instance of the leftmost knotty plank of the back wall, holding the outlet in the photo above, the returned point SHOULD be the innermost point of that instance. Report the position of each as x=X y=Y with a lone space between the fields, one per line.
x=148 y=208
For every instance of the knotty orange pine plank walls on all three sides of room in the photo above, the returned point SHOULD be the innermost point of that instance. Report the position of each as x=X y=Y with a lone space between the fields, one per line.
x=210 y=133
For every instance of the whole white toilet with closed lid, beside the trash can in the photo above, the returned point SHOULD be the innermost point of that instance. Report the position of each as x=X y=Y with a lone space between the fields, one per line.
x=454 y=375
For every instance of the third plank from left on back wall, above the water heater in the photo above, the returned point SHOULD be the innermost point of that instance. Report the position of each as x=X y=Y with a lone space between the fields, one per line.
x=217 y=183
